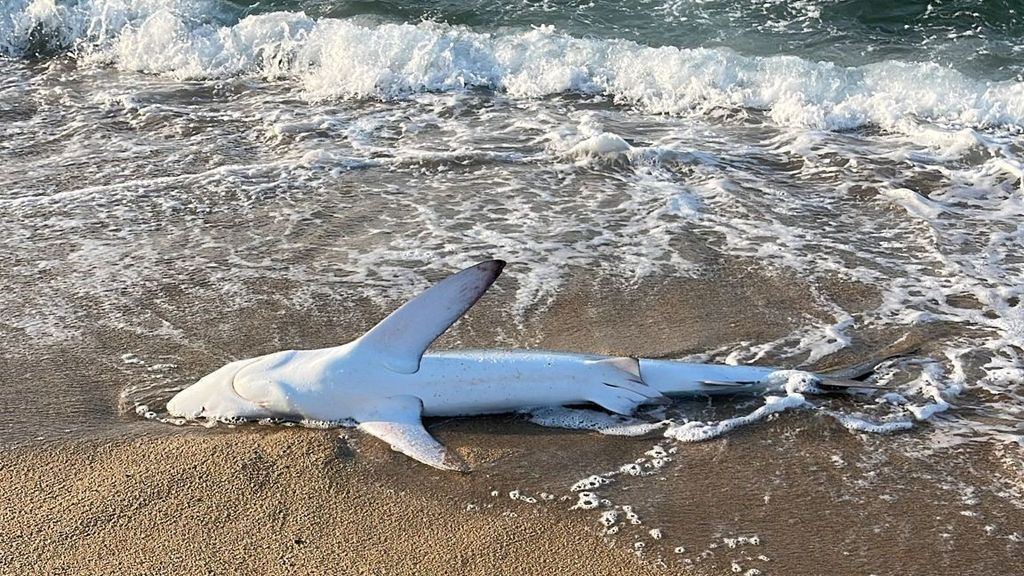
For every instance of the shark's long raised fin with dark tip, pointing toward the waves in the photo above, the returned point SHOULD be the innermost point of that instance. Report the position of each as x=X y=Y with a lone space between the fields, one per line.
x=400 y=341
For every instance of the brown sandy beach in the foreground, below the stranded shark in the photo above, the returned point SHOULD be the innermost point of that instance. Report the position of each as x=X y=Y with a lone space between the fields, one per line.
x=306 y=502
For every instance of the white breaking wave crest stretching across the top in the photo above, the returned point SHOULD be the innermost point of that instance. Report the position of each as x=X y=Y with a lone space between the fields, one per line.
x=339 y=59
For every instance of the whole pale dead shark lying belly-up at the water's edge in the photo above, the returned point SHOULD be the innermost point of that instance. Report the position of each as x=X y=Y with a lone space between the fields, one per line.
x=388 y=382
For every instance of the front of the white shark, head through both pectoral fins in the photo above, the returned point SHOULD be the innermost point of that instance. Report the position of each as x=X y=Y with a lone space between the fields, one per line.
x=367 y=381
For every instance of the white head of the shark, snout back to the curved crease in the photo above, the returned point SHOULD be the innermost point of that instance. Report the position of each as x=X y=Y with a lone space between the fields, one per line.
x=217 y=397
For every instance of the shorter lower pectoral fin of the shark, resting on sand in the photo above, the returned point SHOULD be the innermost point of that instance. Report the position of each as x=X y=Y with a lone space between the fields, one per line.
x=398 y=422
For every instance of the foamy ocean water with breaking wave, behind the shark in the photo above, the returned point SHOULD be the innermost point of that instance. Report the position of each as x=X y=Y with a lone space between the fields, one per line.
x=184 y=183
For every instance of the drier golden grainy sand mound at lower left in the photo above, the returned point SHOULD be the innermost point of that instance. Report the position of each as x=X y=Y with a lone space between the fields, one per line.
x=279 y=503
